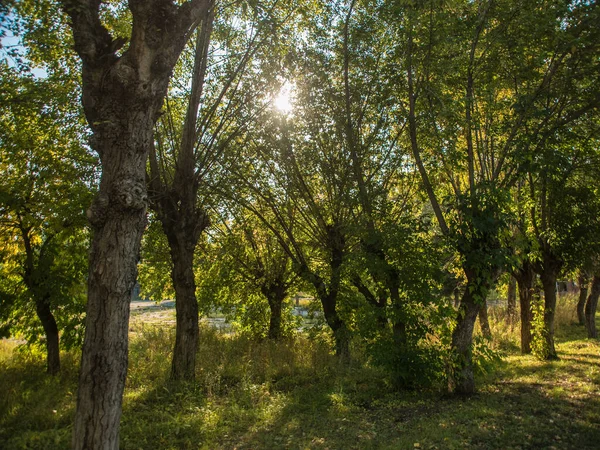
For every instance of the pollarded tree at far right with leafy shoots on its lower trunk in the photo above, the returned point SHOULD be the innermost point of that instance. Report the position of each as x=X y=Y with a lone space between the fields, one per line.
x=563 y=220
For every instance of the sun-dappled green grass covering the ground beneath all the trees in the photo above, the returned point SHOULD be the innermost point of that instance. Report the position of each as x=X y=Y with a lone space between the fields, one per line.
x=293 y=394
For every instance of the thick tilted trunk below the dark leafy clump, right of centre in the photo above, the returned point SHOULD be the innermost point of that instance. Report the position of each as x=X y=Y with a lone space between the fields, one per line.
x=461 y=378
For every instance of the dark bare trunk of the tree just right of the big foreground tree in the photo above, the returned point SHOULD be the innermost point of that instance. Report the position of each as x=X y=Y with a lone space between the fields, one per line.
x=183 y=366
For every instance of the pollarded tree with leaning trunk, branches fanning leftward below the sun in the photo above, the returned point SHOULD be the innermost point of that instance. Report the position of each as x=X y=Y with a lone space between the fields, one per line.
x=299 y=172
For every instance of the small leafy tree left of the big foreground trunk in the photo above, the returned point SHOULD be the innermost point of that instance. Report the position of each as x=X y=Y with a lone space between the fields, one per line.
x=47 y=175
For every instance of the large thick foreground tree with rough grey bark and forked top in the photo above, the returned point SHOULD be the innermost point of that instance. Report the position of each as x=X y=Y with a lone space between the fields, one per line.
x=123 y=91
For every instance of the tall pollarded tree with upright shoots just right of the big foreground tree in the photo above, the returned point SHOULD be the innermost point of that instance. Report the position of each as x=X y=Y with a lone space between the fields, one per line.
x=228 y=70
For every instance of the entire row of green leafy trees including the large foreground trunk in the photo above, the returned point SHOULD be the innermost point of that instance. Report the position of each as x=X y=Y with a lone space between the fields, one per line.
x=432 y=146
